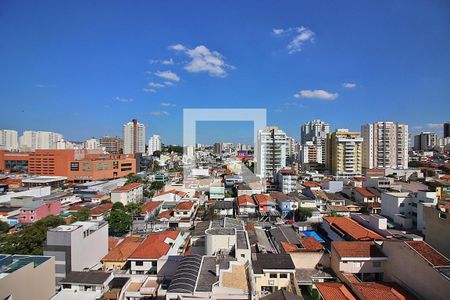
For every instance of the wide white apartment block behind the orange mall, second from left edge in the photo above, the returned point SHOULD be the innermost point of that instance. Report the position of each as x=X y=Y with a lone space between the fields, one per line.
x=36 y=140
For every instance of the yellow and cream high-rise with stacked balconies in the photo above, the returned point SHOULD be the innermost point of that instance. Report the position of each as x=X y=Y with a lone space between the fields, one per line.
x=344 y=153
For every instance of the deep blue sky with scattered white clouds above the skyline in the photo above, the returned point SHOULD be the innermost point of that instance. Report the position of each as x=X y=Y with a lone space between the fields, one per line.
x=84 y=68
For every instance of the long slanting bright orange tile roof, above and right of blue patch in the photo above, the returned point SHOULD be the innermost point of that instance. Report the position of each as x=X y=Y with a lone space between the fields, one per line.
x=346 y=226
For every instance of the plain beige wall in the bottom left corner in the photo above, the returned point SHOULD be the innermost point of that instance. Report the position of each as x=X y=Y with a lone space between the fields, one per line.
x=30 y=282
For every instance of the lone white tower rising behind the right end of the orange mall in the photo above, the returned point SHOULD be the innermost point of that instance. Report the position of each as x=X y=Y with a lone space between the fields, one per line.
x=134 y=137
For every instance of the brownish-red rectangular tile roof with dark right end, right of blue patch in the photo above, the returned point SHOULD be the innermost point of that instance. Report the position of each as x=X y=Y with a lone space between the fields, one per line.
x=357 y=249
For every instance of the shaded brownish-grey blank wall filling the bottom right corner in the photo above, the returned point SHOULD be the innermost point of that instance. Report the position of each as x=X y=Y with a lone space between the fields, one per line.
x=409 y=269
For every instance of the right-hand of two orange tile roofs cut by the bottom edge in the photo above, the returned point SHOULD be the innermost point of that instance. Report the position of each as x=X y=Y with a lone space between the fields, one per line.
x=380 y=291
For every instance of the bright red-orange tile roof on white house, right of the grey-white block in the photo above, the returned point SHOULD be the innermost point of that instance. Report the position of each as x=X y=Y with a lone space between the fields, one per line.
x=155 y=245
